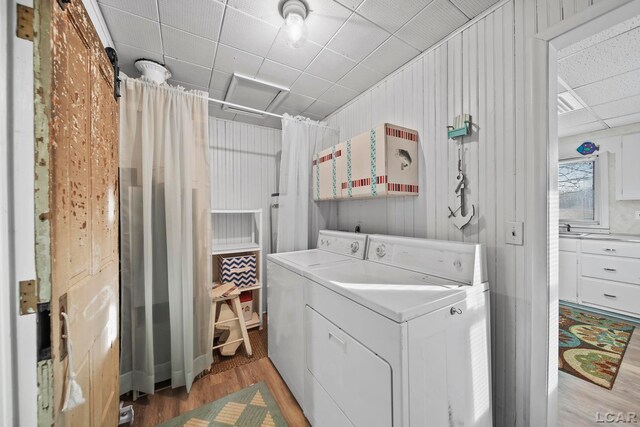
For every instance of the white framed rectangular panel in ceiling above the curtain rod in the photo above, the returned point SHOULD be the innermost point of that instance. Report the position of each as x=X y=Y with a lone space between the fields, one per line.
x=253 y=93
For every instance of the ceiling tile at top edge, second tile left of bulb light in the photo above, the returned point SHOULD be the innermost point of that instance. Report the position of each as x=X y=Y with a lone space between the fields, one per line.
x=200 y=17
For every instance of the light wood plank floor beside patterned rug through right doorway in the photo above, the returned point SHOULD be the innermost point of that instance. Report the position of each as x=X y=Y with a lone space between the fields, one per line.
x=579 y=401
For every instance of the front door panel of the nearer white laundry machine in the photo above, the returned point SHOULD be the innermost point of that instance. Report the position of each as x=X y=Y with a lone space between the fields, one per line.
x=356 y=379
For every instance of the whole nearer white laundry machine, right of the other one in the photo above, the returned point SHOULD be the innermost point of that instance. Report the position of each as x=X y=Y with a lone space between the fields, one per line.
x=401 y=339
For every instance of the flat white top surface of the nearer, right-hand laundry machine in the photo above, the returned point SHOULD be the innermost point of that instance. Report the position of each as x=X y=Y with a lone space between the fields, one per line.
x=395 y=293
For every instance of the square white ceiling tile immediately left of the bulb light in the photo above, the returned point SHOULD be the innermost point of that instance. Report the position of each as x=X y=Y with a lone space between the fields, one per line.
x=247 y=33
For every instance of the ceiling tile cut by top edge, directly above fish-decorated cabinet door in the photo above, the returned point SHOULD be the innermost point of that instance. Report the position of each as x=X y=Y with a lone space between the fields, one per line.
x=388 y=14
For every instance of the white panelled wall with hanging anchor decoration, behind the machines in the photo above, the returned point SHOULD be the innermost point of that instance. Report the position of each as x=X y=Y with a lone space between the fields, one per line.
x=480 y=71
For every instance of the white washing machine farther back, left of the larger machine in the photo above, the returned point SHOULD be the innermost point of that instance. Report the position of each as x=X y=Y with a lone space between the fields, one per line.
x=285 y=307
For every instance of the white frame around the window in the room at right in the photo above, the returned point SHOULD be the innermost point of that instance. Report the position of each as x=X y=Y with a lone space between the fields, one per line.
x=600 y=192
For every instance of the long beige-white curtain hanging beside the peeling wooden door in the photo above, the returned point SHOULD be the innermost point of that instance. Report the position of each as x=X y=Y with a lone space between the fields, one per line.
x=164 y=235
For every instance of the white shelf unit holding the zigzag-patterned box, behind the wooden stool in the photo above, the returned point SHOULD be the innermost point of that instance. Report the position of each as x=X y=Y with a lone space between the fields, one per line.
x=241 y=244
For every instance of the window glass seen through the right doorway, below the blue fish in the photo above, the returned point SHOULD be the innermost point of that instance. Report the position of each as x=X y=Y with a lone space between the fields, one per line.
x=577 y=191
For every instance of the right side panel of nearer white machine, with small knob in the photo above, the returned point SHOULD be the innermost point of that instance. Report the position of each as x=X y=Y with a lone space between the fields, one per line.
x=449 y=365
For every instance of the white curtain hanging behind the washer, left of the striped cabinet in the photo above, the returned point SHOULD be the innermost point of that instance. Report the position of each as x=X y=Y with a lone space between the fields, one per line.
x=299 y=217
